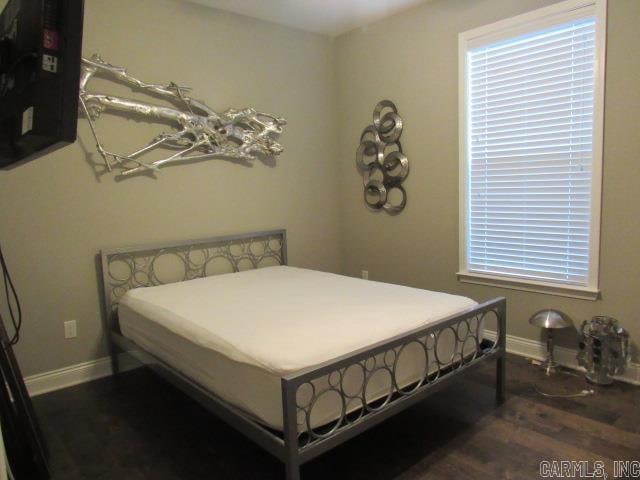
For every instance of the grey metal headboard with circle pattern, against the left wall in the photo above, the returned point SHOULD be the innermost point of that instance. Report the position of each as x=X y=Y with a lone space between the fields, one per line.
x=127 y=268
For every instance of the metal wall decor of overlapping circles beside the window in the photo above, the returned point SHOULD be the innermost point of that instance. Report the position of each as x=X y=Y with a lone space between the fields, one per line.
x=375 y=155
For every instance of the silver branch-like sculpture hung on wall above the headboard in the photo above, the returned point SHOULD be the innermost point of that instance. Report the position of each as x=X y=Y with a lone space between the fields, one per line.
x=200 y=132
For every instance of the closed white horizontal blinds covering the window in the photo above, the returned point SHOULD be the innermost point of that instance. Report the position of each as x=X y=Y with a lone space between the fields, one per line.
x=530 y=119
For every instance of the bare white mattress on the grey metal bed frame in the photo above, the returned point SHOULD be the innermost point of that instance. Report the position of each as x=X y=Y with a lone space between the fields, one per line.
x=238 y=334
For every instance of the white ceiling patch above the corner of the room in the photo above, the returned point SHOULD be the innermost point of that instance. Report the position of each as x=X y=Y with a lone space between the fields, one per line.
x=328 y=17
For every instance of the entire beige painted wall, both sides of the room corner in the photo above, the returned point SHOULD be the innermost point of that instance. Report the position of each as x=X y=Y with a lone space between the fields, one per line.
x=57 y=212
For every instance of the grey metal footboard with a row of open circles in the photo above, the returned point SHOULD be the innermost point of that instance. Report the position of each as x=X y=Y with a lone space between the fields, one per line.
x=302 y=391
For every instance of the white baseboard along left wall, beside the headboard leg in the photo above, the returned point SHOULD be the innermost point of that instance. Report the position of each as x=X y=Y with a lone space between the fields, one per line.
x=74 y=375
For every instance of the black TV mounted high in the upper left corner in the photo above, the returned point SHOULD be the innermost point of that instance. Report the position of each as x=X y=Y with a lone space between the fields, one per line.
x=40 y=55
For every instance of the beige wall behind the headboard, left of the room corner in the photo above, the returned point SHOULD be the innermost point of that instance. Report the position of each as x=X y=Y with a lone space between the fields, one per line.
x=56 y=213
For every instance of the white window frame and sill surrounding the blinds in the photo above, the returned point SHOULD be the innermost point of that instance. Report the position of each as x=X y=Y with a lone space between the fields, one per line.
x=529 y=22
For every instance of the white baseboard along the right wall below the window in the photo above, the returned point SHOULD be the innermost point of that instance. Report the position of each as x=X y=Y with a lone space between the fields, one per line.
x=564 y=356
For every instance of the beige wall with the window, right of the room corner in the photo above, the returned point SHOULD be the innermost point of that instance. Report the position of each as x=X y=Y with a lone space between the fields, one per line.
x=412 y=59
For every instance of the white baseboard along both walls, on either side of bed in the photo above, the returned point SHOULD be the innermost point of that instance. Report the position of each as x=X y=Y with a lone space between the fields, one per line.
x=87 y=371
